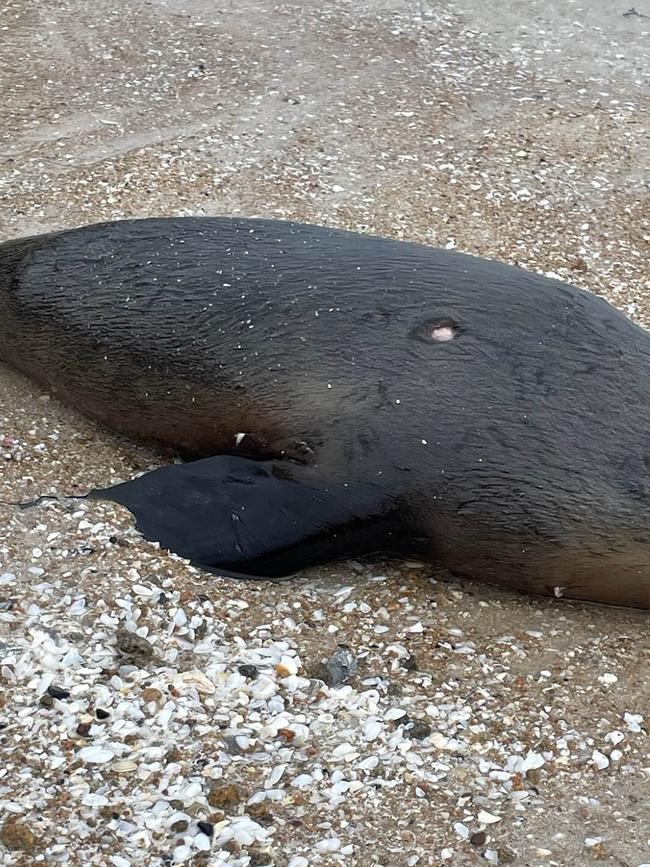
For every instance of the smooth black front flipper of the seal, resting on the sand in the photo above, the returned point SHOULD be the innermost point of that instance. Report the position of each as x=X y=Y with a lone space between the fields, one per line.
x=252 y=518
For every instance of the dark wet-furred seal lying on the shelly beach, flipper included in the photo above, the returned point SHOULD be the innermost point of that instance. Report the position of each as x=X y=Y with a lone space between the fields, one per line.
x=343 y=394
